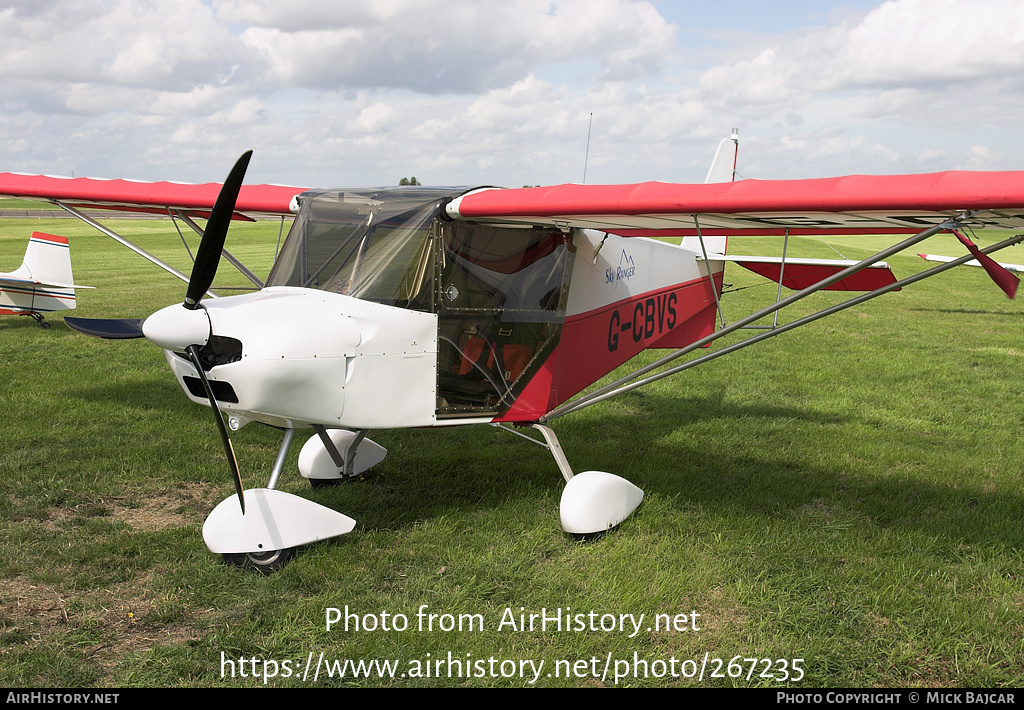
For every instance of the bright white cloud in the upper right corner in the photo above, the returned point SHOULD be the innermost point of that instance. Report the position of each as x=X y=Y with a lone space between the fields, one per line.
x=906 y=48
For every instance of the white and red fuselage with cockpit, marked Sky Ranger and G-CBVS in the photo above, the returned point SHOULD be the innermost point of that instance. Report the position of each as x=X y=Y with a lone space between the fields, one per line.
x=382 y=313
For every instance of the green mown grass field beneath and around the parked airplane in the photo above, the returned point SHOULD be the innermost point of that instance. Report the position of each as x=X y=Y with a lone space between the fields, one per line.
x=849 y=494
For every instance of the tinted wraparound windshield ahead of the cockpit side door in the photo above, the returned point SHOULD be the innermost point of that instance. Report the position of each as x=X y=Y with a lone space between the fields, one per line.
x=371 y=244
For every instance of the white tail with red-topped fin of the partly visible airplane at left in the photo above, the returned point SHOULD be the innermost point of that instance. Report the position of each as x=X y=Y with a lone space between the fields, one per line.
x=44 y=283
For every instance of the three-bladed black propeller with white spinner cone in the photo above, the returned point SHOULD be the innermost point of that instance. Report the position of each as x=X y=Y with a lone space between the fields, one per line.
x=189 y=330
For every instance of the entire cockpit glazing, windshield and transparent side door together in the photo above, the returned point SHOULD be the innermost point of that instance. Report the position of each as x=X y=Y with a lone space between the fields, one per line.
x=499 y=293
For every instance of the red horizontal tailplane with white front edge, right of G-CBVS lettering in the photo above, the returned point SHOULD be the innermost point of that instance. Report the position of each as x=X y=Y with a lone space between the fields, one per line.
x=800 y=274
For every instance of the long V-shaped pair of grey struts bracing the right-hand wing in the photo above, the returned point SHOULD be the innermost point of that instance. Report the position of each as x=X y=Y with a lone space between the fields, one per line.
x=624 y=384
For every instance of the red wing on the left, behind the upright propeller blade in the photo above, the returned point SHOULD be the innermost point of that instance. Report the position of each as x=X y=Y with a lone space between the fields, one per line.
x=195 y=200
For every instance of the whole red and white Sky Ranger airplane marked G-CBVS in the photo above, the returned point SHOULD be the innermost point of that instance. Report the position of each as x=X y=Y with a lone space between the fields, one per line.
x=426 y=308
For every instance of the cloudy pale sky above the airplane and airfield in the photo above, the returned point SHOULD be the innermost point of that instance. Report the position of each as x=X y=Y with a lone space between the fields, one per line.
x=457 y=93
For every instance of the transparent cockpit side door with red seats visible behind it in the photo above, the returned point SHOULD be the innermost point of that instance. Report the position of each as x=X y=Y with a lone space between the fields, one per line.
x=501 y=303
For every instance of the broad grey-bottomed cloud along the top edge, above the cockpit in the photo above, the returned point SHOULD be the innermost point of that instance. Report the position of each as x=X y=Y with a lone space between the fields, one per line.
x=440 y=47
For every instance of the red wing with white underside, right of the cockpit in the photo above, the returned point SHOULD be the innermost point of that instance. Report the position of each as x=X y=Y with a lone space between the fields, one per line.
x=857 y=204
